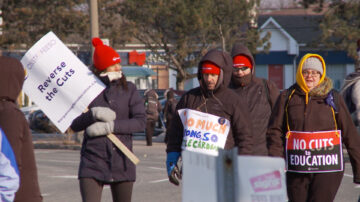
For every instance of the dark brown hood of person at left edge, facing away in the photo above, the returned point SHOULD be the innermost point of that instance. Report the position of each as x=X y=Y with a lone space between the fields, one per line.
x=11 y=78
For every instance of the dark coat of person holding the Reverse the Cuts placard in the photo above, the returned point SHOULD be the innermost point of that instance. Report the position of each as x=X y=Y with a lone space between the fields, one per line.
x=100 y=159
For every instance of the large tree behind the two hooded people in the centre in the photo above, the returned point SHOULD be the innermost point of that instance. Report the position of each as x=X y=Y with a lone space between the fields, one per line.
x=181 y=31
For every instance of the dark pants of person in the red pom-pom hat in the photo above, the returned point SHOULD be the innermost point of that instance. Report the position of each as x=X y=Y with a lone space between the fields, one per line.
x=91 y=190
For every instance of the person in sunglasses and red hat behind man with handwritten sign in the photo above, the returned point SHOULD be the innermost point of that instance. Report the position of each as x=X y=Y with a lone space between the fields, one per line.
x=260 y=94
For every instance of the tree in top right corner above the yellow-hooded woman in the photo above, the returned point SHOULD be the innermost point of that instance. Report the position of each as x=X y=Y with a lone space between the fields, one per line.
x=341 y=28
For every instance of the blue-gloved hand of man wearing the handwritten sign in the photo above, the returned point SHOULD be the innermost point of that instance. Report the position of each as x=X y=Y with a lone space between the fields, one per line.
x=172 y=168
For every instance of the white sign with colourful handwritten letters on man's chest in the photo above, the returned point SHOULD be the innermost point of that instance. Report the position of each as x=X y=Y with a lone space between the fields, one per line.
x=203 y=132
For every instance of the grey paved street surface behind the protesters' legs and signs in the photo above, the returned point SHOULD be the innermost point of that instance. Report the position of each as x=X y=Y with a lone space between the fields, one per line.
x=57 y=170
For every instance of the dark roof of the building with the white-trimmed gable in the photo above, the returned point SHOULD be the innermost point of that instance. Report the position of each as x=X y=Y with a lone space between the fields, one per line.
x=303 y=28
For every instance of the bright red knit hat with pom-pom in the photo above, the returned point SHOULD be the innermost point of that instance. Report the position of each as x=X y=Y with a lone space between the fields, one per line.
x=104 y=56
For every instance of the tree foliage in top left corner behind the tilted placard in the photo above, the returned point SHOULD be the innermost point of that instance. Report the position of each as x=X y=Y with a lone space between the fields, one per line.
x=25 y=22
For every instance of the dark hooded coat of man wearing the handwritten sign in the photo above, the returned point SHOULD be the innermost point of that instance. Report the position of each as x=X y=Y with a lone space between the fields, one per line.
x=221 y=102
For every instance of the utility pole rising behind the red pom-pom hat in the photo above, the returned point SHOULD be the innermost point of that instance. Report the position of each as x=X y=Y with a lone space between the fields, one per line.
x=94 y=23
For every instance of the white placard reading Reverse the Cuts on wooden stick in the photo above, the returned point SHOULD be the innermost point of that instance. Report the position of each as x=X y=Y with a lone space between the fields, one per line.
x=57 y=81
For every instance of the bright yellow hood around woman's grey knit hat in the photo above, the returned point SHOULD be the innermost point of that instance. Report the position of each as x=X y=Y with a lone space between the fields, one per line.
x=299 y=77
